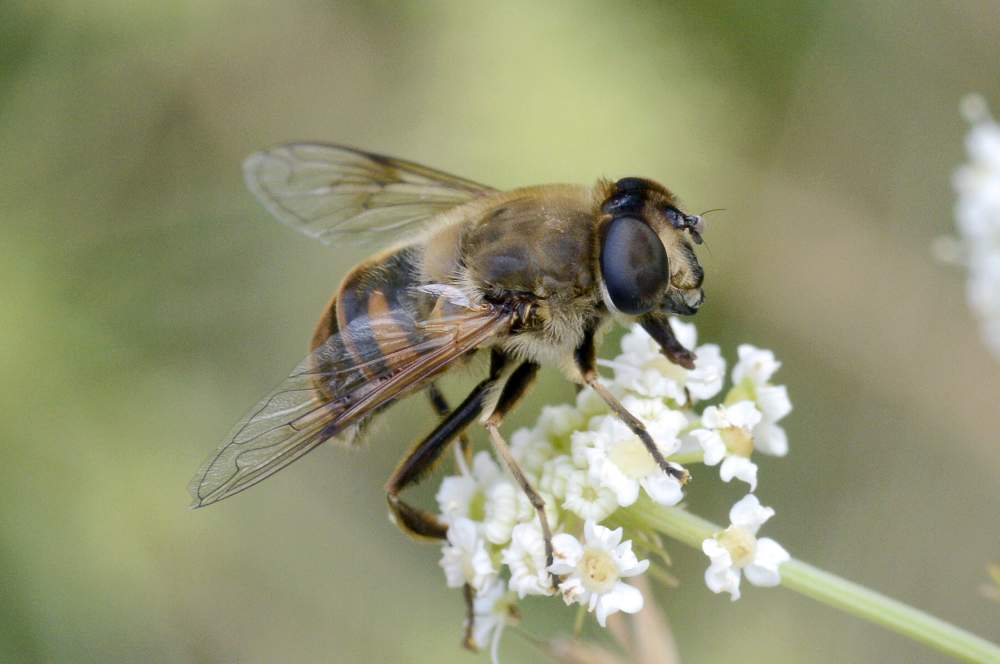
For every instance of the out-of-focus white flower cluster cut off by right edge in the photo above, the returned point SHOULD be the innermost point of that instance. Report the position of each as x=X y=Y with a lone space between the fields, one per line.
x=977 y=215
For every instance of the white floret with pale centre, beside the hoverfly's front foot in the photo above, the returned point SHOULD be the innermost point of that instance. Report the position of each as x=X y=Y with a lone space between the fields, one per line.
x=618 y=460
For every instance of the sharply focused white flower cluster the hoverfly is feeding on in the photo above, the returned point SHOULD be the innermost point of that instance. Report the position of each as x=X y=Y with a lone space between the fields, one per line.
x=590 y=468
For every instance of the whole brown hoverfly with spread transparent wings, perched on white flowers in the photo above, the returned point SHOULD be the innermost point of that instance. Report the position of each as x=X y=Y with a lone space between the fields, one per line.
x=531 y=276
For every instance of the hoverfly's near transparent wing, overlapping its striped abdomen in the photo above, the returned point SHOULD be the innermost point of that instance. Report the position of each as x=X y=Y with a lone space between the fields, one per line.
x=349 y=377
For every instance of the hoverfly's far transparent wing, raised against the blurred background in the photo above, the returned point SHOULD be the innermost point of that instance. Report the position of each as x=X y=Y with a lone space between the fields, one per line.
x=332 y=192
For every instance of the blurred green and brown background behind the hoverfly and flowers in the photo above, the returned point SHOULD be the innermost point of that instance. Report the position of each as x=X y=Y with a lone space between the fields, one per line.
x=148 y=301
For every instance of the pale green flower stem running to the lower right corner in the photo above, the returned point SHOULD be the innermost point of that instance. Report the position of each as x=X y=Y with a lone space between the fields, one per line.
x=828 y=588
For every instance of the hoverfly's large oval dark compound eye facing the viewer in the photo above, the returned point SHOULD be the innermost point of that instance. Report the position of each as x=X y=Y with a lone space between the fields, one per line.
x=634 y=266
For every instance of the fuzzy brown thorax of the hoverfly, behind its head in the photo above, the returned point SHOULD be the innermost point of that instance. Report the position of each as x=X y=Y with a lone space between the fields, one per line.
x=535 y=244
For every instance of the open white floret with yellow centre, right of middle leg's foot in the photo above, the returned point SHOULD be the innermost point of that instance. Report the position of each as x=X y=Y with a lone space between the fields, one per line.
x=593 y=571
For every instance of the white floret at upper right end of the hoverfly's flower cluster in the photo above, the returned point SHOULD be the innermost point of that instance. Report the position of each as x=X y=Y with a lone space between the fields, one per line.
x=751 y=380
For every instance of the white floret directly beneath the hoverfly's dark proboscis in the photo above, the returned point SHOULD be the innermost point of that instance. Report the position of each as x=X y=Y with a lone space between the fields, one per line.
x=643 y=369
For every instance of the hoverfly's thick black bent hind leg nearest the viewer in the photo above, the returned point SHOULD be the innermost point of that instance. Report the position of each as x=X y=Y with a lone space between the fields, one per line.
x=420 y=459
